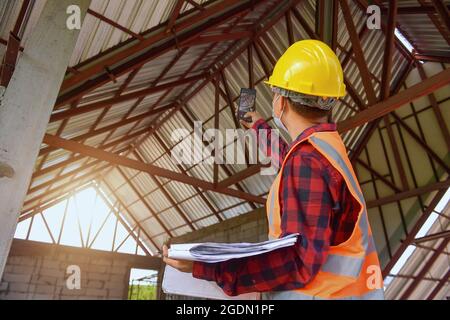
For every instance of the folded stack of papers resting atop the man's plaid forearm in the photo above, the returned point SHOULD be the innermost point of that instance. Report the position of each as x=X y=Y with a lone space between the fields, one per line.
x=216 y=252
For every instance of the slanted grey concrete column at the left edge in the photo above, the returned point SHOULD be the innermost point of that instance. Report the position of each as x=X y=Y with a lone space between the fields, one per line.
x=27 y=105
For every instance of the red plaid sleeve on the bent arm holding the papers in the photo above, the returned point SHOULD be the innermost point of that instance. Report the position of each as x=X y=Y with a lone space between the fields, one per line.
x=306 y=209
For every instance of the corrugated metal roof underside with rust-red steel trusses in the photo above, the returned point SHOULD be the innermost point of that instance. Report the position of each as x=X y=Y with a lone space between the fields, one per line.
x=142 y=69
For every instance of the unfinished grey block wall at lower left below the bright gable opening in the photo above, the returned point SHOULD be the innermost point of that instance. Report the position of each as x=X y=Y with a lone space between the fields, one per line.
x=39 y=271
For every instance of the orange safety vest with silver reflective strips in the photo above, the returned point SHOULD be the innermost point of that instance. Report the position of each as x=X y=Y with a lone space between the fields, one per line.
x=348 y=271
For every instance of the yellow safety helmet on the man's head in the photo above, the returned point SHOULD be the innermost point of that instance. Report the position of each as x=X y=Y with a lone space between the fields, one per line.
x=309 y=67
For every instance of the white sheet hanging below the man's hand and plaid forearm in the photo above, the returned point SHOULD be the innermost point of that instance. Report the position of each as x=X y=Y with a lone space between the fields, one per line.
x=183 y=283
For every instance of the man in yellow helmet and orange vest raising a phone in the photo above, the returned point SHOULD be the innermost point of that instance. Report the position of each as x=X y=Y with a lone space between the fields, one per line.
x=315 y=194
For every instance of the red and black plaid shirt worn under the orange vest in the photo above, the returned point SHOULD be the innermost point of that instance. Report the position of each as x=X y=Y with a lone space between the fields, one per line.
x=316 y=203
